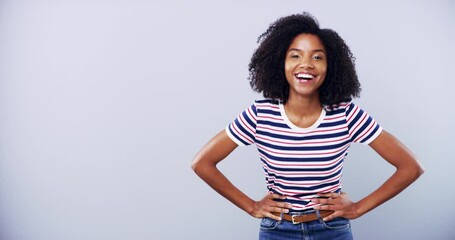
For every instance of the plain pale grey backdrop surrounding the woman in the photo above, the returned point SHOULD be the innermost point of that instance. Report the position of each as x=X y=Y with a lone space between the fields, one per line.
x=104 y=104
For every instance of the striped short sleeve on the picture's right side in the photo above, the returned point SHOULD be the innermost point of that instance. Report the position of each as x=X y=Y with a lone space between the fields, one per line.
x=362 y=127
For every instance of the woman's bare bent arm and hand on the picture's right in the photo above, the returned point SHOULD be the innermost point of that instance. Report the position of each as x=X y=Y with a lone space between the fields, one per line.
x=407 y=171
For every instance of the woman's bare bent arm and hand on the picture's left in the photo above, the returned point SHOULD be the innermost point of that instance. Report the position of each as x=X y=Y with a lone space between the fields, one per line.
x=204 y=165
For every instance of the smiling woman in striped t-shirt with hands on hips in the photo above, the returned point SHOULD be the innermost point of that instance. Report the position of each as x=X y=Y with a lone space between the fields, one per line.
x=303 y=129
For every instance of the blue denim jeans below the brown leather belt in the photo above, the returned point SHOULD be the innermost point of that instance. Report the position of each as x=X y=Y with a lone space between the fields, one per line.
x=338 y=228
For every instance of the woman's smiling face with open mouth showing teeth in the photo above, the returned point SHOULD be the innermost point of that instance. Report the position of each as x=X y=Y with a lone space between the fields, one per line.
x=305 y=66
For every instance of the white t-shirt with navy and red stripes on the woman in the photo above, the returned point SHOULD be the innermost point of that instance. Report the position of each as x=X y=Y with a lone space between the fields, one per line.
x=301 y=162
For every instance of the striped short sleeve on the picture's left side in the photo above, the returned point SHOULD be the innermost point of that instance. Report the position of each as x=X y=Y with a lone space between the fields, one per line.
x=243 y=129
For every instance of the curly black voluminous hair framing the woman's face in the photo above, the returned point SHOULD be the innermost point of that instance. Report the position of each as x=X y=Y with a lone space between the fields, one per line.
x=267 y=63
